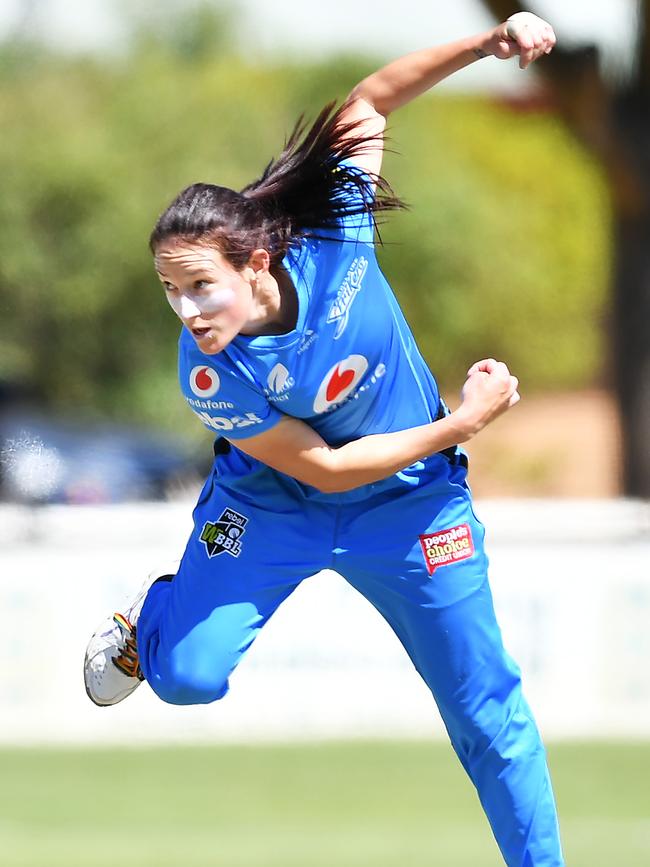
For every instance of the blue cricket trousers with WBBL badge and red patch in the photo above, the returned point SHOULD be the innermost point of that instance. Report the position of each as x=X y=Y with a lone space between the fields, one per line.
x=414 y=548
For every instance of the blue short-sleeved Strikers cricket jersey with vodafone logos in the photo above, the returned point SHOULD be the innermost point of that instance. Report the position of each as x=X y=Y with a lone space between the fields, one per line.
x=350 y=367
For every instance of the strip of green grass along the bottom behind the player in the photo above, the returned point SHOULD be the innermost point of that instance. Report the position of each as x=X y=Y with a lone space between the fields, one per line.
x=351 y=804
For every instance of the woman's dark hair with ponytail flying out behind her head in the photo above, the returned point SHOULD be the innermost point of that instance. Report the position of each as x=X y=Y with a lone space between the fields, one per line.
x=307 y=188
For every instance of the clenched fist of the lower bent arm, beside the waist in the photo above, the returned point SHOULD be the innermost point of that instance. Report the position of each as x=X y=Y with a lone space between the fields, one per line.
x=489 y=391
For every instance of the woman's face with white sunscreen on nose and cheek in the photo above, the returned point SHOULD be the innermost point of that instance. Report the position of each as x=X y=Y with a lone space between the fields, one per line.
x=211 y=298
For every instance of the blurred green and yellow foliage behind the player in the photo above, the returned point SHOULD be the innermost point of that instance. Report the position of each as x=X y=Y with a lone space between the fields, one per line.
x=505 y=251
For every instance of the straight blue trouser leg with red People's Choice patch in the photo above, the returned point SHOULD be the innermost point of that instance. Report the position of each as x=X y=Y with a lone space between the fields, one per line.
x=441 y=610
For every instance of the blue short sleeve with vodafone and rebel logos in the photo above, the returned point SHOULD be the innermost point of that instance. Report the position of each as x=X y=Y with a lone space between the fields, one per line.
x=223 y=395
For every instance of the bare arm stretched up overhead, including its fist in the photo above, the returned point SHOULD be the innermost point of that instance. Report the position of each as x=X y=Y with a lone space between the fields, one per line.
x=524 y=35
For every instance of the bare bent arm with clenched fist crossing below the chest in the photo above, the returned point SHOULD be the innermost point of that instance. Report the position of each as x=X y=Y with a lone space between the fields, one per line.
x=294 y=448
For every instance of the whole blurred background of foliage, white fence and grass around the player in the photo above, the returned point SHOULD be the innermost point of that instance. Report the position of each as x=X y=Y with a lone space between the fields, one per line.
x=526 y=239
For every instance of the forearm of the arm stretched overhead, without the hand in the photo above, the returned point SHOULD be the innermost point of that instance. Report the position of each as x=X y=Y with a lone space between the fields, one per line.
x=406 y=78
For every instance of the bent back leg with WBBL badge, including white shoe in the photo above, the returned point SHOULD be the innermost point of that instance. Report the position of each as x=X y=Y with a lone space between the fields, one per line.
x=252 y=544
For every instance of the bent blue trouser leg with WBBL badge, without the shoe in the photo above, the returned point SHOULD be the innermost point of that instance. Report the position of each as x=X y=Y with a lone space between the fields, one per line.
x=242 y=560
